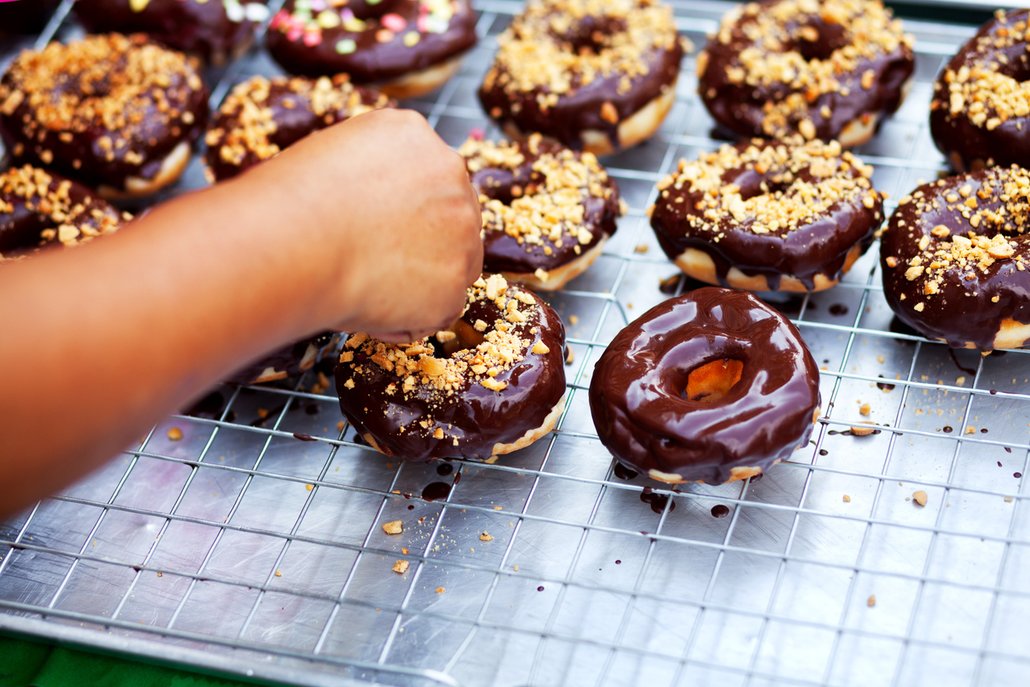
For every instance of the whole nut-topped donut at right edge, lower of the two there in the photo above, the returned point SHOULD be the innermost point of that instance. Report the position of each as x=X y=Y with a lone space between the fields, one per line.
x=956 y=260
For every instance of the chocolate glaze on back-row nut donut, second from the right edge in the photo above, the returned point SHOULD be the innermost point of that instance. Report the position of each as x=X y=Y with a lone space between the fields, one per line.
x=741 y=108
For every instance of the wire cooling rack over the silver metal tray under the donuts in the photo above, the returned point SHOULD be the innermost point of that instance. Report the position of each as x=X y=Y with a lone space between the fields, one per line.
x=242 y=548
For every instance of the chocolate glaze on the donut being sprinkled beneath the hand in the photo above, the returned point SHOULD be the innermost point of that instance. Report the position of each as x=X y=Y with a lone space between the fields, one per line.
x=475 y=417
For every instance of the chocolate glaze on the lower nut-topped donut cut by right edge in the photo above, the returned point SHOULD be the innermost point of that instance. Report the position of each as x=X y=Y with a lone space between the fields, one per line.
x=964 y=311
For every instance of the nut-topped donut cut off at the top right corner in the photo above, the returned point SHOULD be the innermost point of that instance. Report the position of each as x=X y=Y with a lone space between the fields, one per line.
x=980 y=116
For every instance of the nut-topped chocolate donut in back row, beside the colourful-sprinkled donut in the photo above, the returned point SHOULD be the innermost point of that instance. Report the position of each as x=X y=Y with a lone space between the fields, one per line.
x=593 y=75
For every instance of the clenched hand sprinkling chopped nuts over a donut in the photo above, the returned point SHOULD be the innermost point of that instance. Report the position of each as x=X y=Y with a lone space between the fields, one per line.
x=401 y=223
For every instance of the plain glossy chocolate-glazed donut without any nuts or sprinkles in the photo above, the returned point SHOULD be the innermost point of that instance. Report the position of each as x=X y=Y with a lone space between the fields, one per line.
x=712 y=387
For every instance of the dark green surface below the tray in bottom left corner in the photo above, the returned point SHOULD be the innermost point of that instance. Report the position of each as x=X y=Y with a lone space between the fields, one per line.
x=25 y=663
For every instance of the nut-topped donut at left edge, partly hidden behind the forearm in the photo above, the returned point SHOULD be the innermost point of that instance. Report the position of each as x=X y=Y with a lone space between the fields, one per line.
x=40 y=210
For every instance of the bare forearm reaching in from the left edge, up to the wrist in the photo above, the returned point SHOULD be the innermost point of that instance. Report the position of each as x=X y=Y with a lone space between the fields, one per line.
x=135 y=326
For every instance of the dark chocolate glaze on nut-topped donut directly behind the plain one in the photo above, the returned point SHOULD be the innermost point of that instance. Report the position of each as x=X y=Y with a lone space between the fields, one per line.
x=821 y=247
